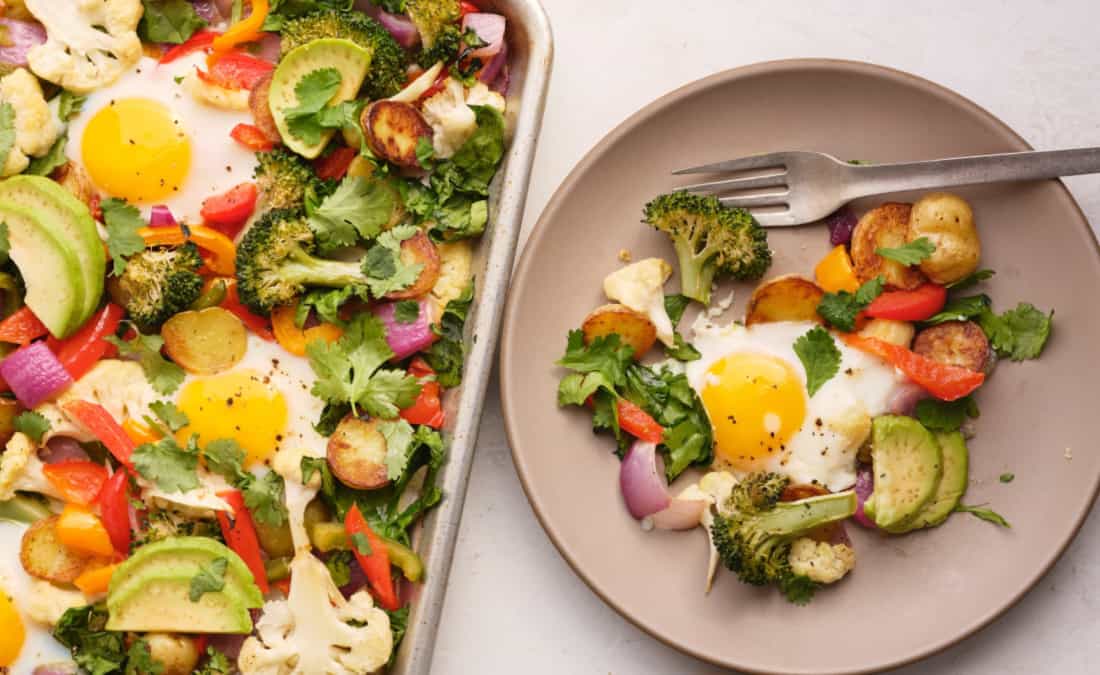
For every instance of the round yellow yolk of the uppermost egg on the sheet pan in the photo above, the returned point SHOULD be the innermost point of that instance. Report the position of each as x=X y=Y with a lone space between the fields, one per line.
x=137 y=151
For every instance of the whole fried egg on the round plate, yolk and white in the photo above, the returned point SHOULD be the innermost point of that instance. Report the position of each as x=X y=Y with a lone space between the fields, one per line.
x=754 y=389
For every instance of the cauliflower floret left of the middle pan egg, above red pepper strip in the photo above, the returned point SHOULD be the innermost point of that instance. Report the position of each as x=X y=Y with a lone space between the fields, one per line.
x=119 y=386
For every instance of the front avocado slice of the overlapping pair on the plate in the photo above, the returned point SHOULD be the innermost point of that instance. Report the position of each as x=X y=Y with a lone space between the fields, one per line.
x=908 y=464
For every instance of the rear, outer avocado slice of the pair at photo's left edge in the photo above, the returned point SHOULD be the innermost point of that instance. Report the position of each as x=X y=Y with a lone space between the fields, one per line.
x=54 y=204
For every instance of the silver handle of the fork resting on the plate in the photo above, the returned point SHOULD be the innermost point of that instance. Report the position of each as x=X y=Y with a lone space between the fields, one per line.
x=882 y=179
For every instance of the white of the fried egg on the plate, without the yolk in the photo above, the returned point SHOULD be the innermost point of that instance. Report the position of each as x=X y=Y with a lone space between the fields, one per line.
x=826 y=452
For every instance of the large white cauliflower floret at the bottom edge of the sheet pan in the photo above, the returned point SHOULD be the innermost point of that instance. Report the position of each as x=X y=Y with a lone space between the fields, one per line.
x=312 y=633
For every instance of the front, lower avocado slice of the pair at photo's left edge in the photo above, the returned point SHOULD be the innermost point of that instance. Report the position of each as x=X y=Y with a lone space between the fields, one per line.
x=50 y=269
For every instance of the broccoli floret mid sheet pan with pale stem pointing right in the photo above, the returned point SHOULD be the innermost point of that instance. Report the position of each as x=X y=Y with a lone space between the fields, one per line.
x=276 y=262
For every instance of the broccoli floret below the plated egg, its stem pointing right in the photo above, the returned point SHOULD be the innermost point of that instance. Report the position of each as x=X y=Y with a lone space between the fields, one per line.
x=754 y=530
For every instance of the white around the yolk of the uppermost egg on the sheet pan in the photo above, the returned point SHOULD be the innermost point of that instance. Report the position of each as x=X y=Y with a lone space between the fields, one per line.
x=218 y=163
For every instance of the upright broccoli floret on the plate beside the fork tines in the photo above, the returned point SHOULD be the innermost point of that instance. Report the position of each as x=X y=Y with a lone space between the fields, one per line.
x=710 y=239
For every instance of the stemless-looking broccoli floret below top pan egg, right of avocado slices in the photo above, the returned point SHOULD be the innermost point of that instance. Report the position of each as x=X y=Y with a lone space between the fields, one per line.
x=159 y=284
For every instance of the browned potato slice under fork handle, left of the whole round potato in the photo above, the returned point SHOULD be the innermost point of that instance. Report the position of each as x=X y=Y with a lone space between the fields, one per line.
x=886 y=227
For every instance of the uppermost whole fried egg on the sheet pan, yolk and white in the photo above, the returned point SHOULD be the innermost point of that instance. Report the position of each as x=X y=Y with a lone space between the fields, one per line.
x=147 y=141
